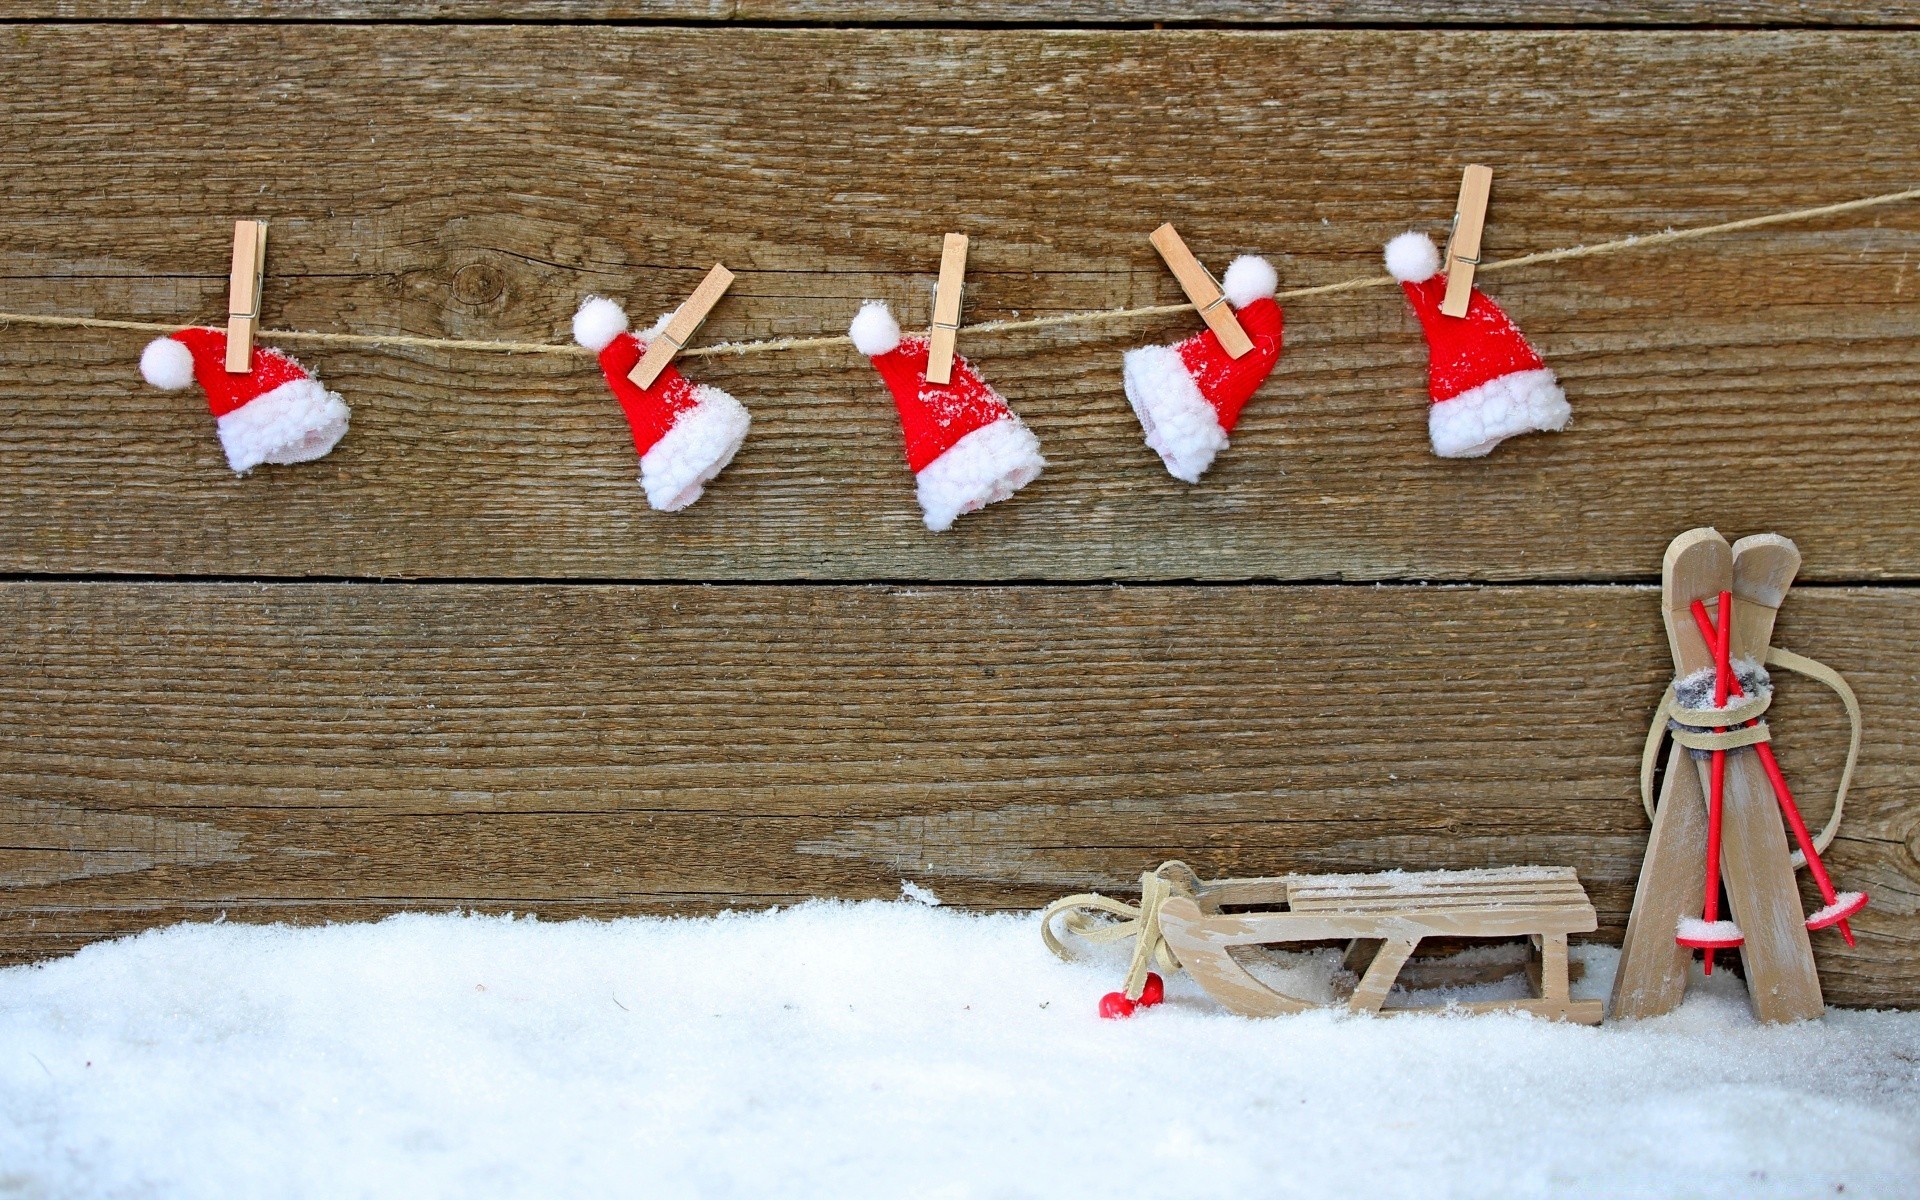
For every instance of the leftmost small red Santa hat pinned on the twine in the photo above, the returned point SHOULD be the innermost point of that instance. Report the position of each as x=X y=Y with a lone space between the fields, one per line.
x=274 y=414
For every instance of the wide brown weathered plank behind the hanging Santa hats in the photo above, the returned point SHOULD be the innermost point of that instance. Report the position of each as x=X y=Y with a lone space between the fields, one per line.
x=479 y=181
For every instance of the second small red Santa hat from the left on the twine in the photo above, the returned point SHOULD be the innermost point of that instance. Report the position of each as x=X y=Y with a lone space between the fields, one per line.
x=684 y=433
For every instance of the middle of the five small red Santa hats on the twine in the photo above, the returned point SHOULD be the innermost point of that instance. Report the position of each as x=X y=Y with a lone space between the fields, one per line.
x=965 y=444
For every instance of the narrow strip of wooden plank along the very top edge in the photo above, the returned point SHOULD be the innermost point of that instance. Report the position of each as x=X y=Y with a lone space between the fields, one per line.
x=1015 y=12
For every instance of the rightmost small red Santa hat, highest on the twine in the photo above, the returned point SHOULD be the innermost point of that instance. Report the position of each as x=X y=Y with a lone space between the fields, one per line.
x=1487 y=383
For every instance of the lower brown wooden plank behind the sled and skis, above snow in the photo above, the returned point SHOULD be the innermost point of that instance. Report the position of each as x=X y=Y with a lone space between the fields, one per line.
x=322 y=752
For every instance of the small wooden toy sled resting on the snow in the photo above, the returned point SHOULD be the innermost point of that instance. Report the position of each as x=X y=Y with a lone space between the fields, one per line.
x=1199 y=924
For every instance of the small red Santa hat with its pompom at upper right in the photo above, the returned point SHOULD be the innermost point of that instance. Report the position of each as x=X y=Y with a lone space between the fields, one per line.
x=1189 y=396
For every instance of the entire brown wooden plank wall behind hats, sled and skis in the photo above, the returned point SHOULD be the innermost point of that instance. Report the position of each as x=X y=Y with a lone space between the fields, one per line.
x=460 y=663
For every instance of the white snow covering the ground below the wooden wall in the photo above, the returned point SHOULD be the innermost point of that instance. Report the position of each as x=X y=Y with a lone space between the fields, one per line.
x=880 y=1049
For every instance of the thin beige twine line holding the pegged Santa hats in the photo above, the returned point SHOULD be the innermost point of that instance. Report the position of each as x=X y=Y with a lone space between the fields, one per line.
x=1001 y=327
